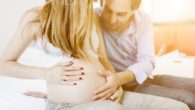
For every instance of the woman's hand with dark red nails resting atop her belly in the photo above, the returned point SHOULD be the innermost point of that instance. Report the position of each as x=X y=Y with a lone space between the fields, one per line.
x=64 y=73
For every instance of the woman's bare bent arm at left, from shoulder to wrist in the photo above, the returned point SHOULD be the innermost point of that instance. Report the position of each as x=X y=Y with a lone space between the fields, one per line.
x=25 y=33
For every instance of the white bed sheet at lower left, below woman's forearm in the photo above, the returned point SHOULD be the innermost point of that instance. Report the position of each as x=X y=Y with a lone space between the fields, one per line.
x=12 y=98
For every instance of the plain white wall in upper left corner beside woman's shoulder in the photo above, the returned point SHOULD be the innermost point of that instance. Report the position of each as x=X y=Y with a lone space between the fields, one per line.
x=11 y=12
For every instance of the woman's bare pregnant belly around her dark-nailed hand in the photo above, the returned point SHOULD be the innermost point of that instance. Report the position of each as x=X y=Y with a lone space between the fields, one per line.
x=83 y=91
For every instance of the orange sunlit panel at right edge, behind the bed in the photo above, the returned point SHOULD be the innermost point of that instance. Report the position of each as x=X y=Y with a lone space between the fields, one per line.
x=176 y=36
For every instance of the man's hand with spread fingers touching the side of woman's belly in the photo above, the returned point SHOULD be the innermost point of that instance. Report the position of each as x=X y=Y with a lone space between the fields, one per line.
x=109 y=88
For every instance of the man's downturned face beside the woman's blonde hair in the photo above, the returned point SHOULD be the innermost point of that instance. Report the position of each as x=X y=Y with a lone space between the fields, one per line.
x=116 y=14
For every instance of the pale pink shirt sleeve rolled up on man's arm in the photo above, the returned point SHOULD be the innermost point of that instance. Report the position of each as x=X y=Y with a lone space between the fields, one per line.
x=145 y=61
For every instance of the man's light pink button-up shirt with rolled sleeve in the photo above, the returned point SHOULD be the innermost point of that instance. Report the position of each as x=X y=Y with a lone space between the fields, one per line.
x=134 y=49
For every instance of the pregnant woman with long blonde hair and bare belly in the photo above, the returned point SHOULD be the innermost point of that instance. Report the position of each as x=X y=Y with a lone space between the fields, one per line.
x=65 y=28
